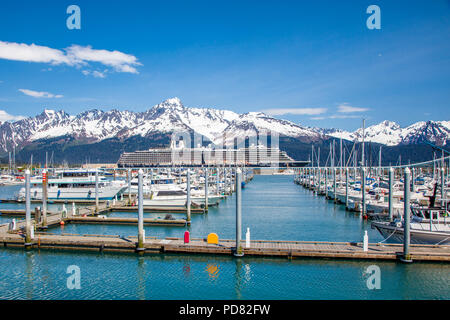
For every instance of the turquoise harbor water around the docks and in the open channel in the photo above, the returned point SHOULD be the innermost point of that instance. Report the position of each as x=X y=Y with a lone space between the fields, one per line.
x=273 y=208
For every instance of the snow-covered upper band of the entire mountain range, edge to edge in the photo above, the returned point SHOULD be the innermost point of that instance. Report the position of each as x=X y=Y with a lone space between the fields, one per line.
x=220 y=126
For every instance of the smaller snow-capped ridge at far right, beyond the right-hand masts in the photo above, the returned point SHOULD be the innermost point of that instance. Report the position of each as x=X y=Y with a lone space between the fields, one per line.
x=391 y=134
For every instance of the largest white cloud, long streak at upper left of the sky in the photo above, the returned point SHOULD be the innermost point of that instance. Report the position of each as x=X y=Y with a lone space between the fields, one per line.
x=74 y=55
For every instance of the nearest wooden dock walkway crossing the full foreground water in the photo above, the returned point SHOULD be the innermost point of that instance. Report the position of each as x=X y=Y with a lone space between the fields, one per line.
x=288 y=249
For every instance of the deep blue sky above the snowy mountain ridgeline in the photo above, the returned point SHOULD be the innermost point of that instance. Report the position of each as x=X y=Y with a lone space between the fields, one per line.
x=312 y=62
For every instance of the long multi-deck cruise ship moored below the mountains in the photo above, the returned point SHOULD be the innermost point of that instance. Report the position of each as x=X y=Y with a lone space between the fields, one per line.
x=251 y=156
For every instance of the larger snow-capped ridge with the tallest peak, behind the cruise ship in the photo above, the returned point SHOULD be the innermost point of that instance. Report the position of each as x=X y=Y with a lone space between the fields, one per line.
x=219 y=126
